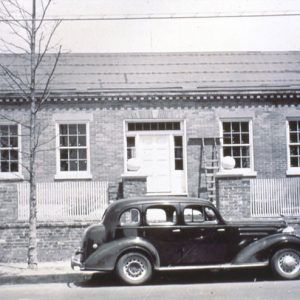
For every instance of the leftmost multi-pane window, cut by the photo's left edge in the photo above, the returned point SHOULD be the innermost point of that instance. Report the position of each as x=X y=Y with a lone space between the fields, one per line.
x=9 y=149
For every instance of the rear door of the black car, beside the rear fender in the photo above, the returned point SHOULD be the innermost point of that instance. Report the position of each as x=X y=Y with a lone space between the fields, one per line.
x=161 y=229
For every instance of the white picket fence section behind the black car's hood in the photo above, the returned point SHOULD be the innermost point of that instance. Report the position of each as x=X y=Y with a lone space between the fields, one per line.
x=273 y=197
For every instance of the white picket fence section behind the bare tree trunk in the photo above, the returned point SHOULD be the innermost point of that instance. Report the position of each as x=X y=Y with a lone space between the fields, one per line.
x=65 y=201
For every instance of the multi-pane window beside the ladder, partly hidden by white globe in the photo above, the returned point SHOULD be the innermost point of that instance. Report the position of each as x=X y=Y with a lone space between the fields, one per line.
x=237 y=142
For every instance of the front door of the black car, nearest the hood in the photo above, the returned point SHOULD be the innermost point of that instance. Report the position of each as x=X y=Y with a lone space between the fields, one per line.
x=206 y=239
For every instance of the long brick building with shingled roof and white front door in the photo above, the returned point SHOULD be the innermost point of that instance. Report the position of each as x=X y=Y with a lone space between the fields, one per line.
x=153 y=124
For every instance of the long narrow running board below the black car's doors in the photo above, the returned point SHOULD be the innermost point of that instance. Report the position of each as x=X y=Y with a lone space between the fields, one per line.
x=221 y=266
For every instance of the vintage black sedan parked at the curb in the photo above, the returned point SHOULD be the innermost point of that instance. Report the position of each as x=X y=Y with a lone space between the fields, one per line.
x=138 y=236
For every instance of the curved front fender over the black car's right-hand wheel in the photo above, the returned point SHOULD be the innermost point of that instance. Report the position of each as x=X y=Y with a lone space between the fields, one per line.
x=248 y=254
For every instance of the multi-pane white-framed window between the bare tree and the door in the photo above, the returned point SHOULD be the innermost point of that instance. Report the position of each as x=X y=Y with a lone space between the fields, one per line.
x=73 y=147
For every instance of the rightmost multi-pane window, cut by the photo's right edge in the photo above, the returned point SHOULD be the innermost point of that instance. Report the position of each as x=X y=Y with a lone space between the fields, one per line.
x=294 y=143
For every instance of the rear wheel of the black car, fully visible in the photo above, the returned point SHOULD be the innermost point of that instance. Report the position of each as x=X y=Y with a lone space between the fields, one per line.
x=134 y=268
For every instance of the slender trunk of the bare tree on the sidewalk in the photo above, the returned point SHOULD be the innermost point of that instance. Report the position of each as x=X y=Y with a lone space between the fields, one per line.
x=32 y=247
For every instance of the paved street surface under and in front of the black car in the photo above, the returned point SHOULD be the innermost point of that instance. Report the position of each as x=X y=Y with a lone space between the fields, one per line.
x=179 y=286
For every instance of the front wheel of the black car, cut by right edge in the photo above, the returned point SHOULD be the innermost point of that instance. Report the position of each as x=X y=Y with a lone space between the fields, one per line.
x=286 y=263
